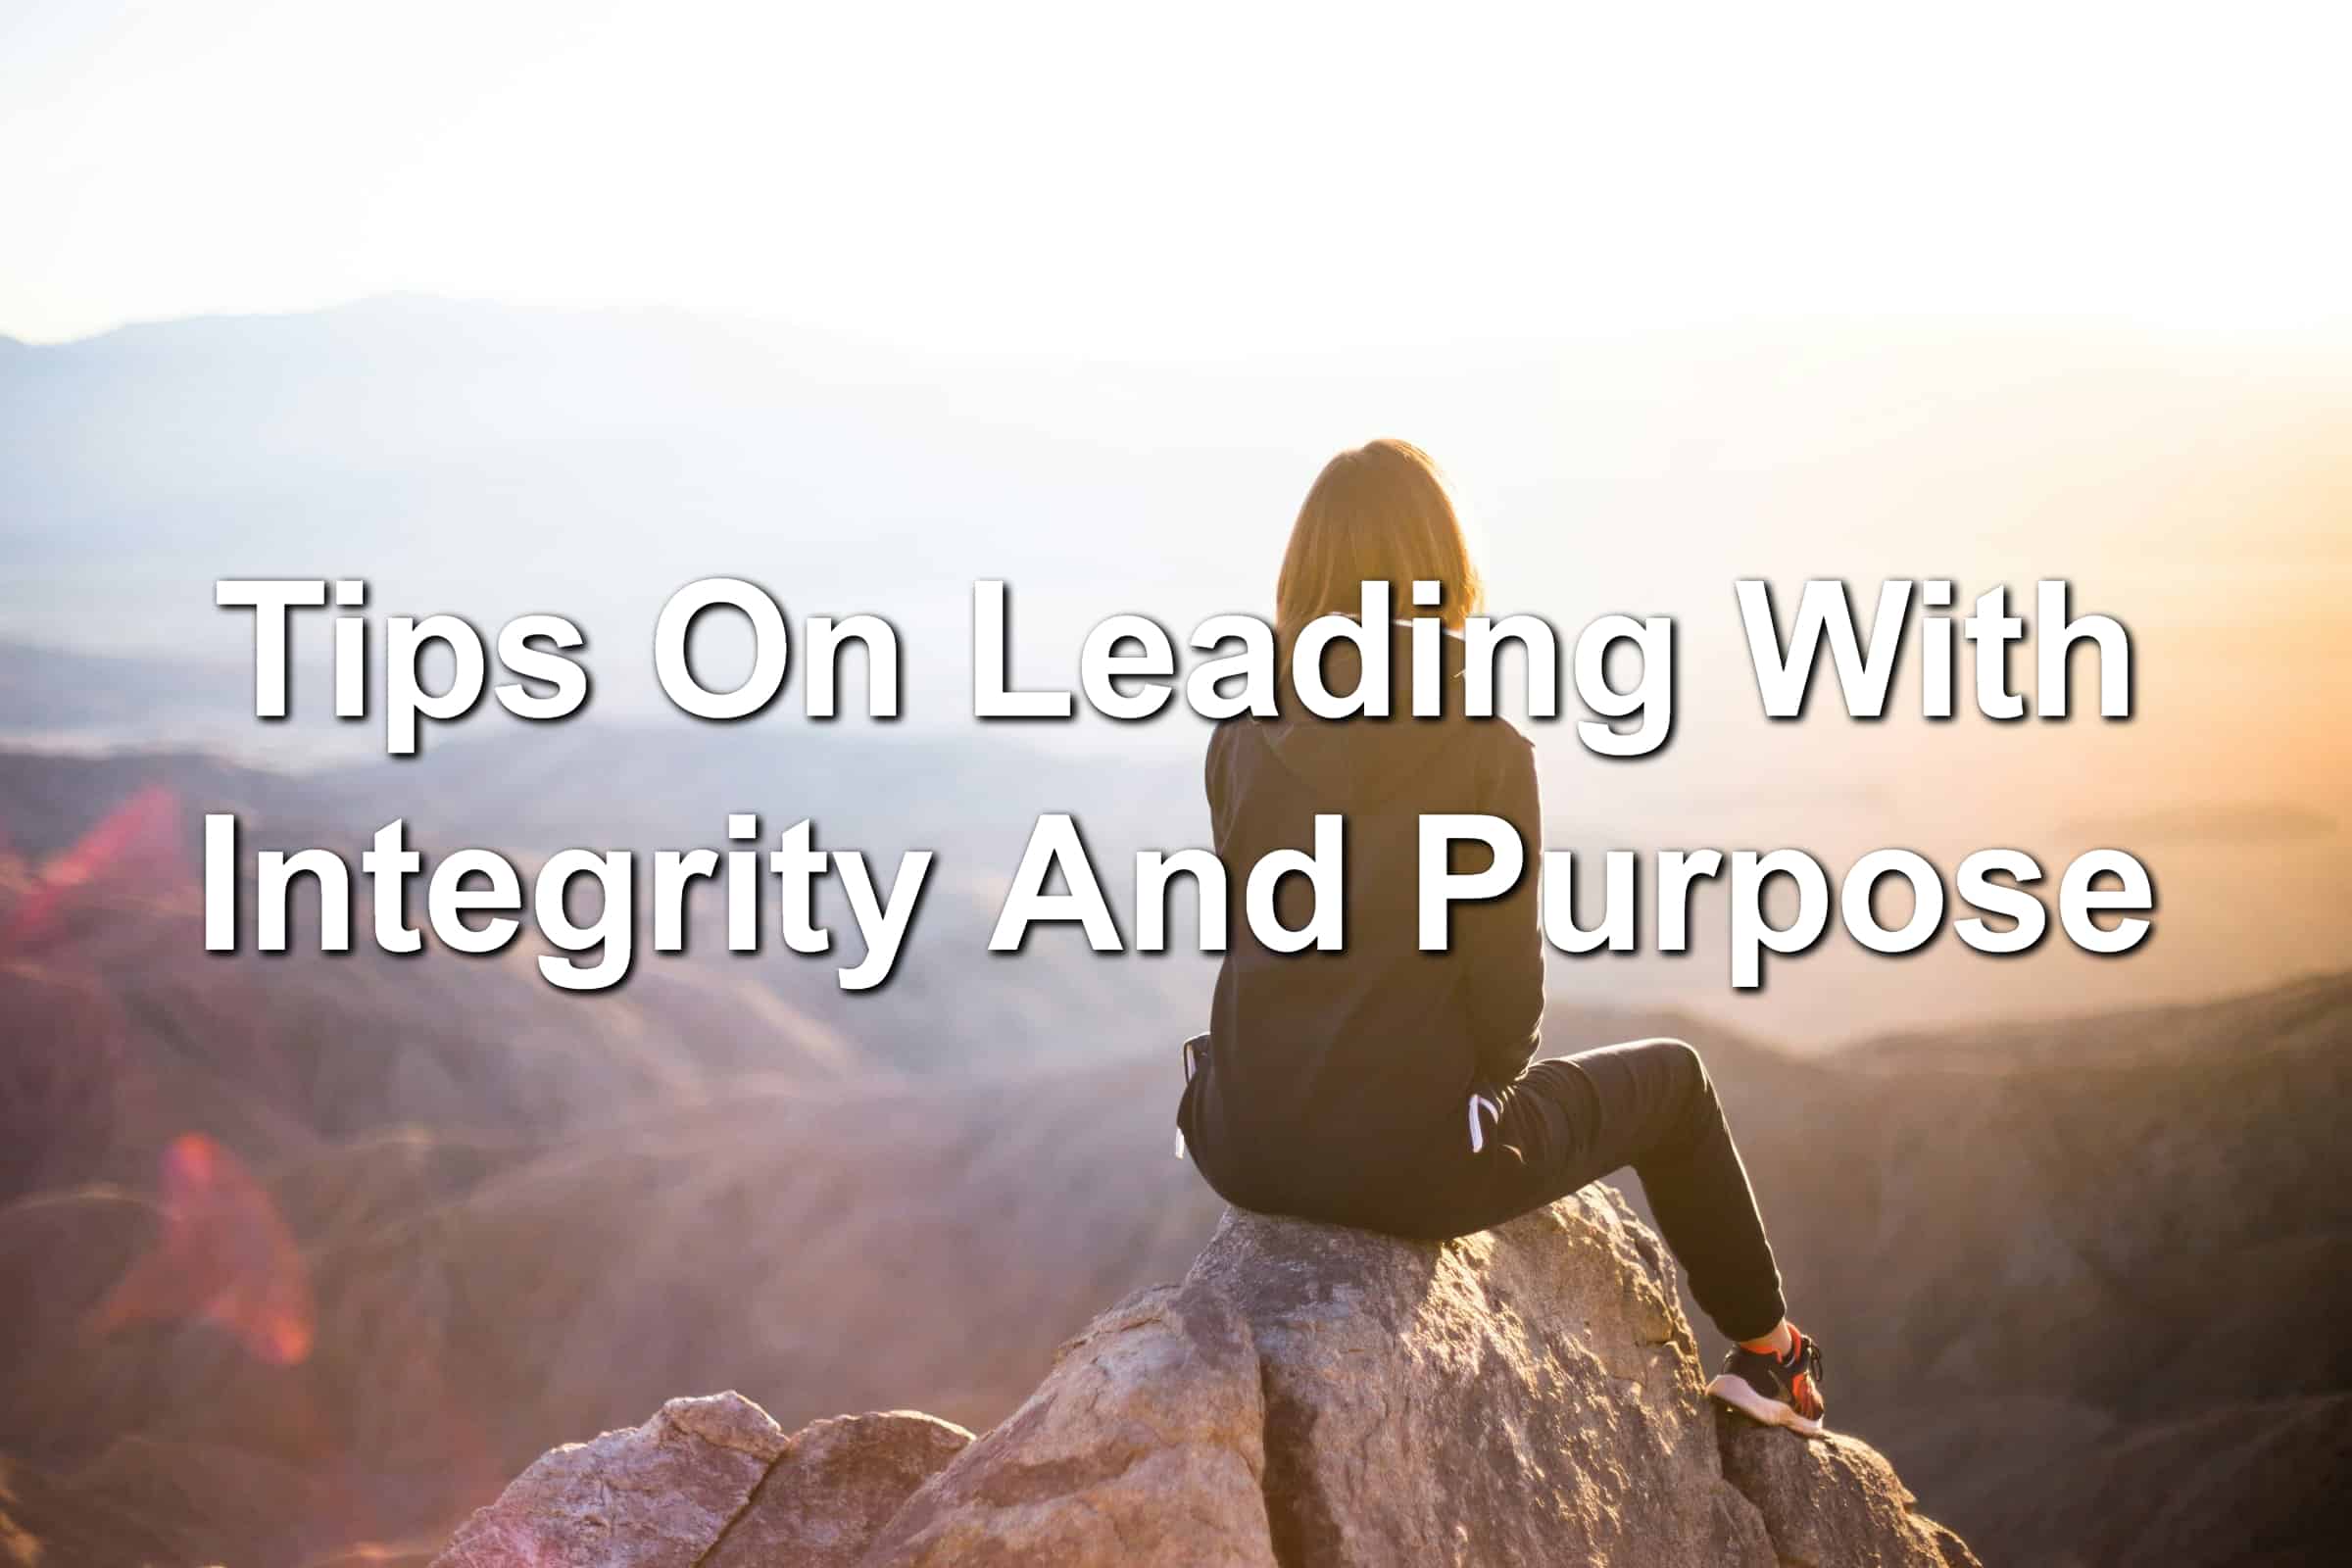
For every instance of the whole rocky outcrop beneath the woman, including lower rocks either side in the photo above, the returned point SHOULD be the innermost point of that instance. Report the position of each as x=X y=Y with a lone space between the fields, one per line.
x=1307 y=1398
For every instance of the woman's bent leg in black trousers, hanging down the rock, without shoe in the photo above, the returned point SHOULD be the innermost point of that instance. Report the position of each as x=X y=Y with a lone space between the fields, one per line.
x=1652 y=1106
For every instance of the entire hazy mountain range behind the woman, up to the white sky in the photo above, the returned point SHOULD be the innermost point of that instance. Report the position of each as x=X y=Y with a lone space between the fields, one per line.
x=305 y=1257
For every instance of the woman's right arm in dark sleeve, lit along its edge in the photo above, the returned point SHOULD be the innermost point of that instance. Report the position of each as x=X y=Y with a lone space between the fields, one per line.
x=1504 y=937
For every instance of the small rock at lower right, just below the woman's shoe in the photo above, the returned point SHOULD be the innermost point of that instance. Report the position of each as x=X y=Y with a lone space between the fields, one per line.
x=1833 y=1501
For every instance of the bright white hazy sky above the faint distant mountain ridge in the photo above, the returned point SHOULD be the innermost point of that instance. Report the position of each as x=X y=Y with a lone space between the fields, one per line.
x=1180 y=180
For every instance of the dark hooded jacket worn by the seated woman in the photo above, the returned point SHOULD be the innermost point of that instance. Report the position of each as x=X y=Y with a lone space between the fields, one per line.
x=1337 y=1083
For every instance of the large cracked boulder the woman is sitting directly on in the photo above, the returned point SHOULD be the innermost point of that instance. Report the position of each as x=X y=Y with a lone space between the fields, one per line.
x=1518 y=1398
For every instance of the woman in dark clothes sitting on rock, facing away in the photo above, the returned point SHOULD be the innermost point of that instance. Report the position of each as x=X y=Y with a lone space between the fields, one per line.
x=1389 y=1087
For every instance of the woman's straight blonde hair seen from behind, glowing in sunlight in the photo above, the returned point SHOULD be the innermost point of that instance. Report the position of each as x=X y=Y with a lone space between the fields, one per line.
x=1379 y=514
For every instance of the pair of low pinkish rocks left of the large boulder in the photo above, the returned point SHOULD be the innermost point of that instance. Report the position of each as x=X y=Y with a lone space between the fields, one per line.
x=709 y=1482
